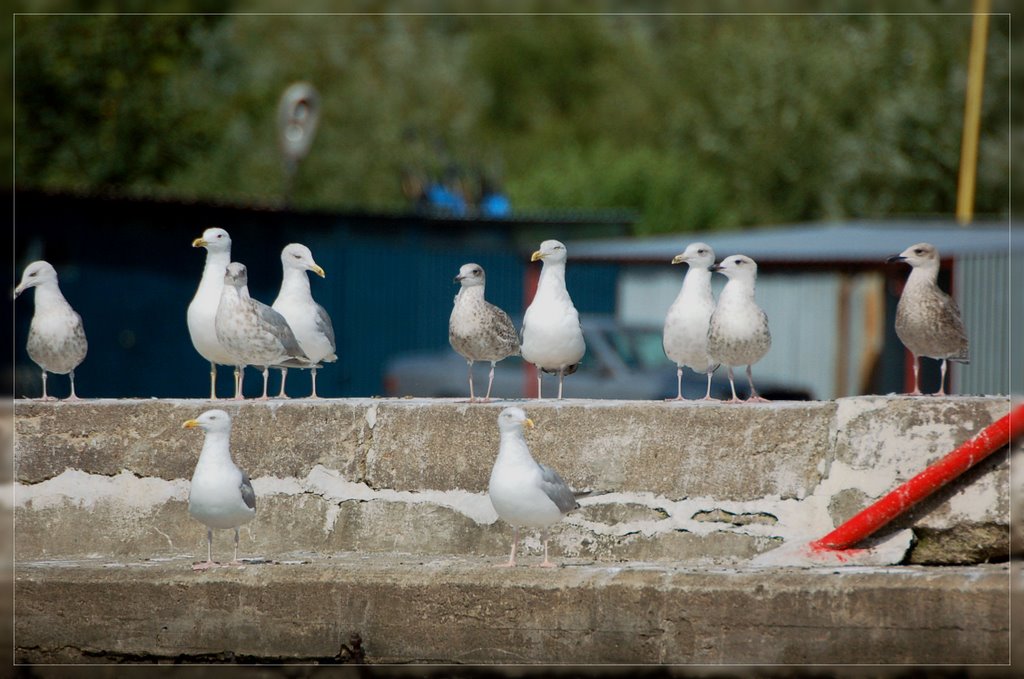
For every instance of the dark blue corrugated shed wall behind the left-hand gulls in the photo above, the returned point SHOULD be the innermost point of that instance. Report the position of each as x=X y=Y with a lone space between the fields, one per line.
x=131 y=272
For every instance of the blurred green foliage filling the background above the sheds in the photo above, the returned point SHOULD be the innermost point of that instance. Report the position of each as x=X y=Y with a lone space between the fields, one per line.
x=698 y=122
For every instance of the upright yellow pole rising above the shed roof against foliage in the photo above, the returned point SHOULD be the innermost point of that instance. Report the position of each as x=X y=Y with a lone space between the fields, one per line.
x=972 y=114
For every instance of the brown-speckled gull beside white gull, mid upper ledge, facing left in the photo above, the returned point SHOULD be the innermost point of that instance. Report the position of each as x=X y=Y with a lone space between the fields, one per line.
x=478 y=329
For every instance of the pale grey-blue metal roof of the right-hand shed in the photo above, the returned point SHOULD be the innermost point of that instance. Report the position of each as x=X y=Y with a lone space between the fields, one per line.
x=862 y=241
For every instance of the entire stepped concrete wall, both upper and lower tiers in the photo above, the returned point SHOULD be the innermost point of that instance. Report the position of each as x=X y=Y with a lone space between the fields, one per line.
x=375 y=541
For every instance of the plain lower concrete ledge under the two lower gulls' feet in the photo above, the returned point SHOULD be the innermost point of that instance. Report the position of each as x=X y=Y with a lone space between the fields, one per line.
x=454 y=611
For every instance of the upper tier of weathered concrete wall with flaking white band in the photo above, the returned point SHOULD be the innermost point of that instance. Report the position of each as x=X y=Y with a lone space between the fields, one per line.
x=693 y=484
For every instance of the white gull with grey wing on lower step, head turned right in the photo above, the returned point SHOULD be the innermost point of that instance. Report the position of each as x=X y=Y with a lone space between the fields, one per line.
x=523 y=492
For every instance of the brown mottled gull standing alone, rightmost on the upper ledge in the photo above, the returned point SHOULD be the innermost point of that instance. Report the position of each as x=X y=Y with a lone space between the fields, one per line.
x=928 y=321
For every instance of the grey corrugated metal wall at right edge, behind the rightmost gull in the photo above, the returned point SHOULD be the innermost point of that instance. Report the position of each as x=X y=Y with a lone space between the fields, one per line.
x=984 y=292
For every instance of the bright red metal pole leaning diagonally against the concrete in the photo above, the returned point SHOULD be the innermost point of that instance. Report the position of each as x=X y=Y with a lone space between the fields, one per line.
x=869 y=521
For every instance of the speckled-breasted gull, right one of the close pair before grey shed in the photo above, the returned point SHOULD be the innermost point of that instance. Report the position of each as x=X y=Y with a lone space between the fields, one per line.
x=739 y=331
